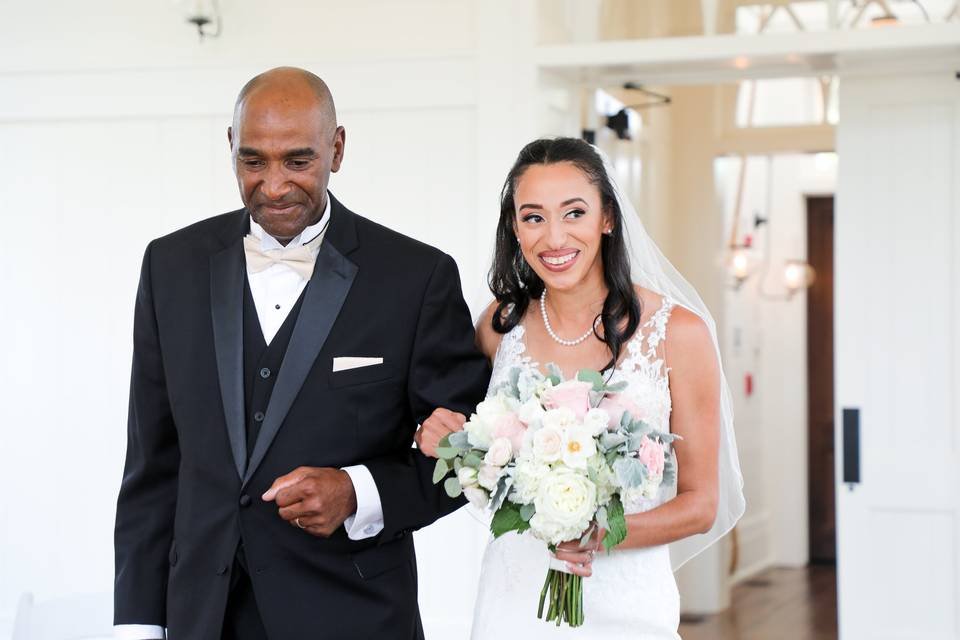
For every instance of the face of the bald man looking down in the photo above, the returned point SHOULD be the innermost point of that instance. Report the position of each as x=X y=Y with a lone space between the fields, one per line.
x=284 y=148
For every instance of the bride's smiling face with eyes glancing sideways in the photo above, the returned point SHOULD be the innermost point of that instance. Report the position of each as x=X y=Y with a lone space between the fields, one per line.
x=559 y=221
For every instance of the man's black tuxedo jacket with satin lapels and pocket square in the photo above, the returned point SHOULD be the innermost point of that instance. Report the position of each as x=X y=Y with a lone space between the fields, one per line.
x=191 y=491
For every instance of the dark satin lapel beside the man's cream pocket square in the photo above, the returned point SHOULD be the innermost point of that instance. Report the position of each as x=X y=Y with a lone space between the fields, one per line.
x=332 y=278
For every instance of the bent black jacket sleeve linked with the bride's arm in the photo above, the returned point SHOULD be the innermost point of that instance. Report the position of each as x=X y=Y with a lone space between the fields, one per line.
x=446 y=370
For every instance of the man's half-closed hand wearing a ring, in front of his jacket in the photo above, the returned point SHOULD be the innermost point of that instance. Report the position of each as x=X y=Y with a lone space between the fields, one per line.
x=314 y=499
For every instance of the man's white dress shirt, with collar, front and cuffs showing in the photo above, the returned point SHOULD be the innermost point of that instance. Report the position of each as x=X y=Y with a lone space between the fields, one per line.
x=275 y=291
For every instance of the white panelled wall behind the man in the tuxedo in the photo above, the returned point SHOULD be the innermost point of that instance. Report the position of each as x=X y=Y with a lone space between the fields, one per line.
x=112 y=125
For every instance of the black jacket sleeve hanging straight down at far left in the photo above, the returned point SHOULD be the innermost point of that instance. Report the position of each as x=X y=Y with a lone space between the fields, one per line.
x=148 y=491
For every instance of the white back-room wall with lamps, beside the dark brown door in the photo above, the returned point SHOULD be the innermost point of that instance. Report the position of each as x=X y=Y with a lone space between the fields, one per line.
x=767 y=339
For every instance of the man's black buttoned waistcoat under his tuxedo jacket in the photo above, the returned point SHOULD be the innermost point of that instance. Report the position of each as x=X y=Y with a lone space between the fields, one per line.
x=261 y=363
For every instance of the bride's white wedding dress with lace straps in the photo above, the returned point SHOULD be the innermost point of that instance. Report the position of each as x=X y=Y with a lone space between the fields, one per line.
x=632 y=593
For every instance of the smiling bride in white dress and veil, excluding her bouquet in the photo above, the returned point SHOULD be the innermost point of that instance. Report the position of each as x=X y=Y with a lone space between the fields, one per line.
x=578 y=283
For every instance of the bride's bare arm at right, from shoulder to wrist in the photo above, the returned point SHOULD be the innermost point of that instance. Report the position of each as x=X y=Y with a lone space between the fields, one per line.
x=695 y=396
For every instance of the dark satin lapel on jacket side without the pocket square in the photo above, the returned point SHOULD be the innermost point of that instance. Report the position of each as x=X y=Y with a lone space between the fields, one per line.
x=227 y=271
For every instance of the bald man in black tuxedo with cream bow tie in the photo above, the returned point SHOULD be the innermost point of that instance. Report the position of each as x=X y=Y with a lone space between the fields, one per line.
x=283 y=356
